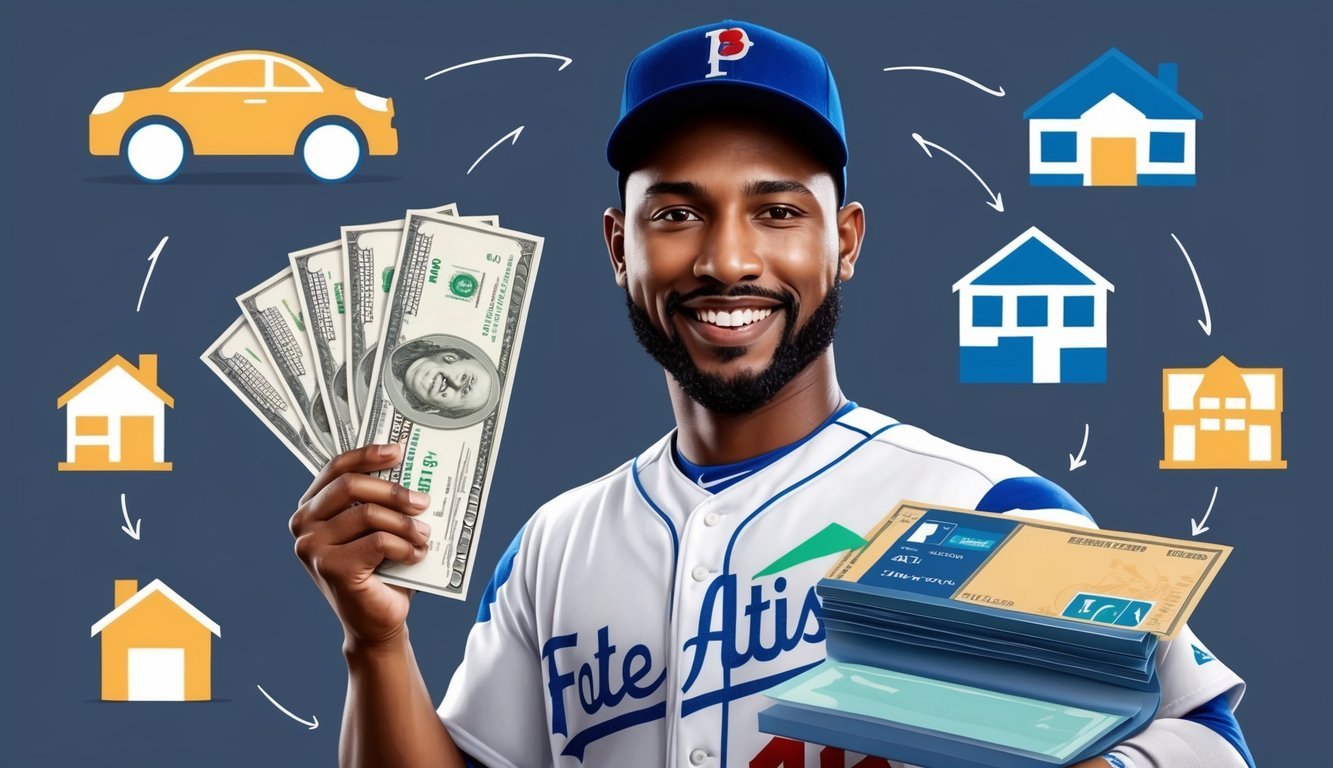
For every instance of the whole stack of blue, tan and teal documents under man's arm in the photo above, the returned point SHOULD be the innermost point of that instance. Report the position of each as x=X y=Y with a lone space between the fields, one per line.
x=967 y=641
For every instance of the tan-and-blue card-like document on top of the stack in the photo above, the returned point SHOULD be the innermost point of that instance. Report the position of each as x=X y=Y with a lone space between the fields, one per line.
x=1110 y=578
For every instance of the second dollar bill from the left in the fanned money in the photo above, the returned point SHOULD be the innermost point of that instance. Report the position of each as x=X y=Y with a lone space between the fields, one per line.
x=274 y=311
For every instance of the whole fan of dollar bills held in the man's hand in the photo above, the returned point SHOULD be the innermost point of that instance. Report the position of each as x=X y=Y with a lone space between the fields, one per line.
x=405 y=331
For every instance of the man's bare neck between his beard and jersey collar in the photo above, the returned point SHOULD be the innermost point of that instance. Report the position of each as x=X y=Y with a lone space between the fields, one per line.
x=710 y=438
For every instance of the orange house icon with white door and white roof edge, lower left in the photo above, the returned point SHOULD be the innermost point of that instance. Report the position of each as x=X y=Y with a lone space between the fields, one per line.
x=155 y=646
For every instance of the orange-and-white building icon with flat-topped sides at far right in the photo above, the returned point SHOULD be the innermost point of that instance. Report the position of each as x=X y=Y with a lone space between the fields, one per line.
x=1223 y=418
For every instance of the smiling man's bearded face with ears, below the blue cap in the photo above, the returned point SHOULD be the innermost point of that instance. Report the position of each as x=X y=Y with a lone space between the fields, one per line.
x=731 y=257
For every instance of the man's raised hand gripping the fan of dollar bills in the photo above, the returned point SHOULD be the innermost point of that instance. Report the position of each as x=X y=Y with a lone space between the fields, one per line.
x=346 y=526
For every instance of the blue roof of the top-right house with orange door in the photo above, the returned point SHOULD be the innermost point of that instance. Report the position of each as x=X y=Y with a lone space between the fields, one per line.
x=1114 y=73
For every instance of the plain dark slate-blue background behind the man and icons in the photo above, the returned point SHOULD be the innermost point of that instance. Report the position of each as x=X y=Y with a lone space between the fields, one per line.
x=586 y=398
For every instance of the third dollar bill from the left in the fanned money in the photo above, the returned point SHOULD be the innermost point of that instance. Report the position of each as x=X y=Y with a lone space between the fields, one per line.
x=321 y=290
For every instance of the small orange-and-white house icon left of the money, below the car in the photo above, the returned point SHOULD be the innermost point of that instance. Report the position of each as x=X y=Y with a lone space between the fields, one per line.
x=114 y=418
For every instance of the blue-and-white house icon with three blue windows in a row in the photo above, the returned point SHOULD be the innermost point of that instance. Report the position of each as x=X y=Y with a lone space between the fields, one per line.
x=1032 y=314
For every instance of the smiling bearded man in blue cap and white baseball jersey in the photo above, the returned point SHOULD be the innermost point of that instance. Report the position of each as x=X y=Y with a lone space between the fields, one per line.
x=638 y=619
